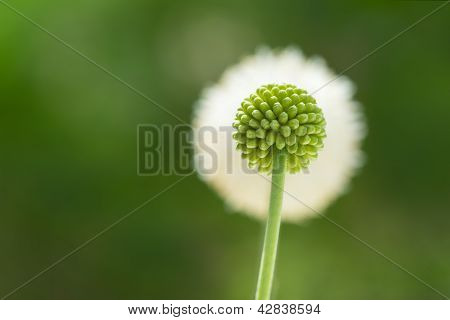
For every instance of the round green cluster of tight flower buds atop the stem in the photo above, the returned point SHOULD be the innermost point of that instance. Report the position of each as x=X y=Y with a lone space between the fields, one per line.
x=283 y=117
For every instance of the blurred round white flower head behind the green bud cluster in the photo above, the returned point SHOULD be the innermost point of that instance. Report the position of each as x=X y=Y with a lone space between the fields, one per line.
x=326 y=178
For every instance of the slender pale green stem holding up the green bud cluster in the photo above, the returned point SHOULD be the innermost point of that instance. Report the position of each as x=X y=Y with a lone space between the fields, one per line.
x=269 y=254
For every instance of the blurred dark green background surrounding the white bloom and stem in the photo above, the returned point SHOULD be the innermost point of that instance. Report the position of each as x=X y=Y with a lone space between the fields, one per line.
x=68 y=151
